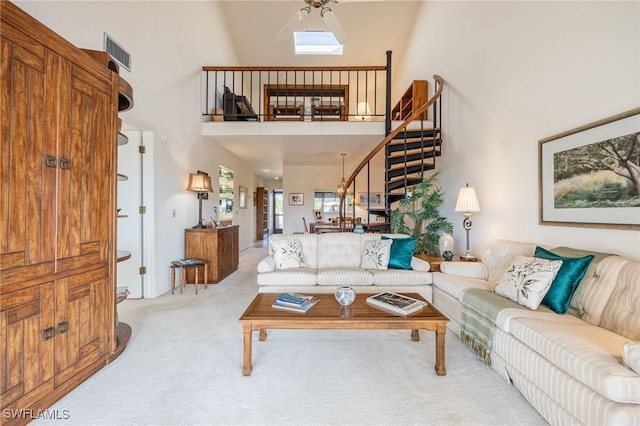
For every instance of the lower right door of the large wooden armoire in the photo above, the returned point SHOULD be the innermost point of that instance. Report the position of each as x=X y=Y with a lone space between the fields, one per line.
x=81 y=318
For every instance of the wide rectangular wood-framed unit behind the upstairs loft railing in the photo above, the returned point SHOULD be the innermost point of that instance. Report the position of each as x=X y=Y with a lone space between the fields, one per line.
x=287 y=101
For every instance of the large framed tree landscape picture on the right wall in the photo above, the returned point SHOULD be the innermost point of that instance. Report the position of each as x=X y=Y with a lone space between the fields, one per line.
x=581 y=178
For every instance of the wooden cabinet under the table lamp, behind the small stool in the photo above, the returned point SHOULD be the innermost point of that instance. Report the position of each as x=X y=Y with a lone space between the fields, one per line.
x=218 y=246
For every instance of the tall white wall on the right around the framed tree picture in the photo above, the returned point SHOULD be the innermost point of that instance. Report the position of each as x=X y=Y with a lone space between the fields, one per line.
x=518 y=72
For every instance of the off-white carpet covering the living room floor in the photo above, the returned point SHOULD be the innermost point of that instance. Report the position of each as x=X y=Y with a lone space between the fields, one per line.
x=183 y=365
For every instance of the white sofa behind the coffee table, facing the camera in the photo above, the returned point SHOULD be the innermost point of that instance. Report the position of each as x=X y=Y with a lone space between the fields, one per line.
x=334 y=259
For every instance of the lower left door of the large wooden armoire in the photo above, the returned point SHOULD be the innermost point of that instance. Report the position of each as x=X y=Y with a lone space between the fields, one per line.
x=27 y=342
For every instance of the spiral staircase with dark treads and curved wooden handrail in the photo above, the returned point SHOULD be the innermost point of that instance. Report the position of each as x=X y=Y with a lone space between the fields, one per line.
x=410 y=150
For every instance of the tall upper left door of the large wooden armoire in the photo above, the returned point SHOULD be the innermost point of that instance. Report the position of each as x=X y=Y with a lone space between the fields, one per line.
x=27 y=186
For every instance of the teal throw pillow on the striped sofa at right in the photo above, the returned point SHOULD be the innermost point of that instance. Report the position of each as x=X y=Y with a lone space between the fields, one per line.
x=566 y=281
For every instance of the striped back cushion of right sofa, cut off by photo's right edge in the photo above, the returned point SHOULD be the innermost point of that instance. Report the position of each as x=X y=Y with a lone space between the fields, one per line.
x=621 y=314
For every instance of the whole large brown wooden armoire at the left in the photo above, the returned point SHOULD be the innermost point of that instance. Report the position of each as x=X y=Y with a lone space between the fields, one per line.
x=58 y=134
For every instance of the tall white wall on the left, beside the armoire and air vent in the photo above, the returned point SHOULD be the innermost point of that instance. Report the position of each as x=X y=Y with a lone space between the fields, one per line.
x=169 y=43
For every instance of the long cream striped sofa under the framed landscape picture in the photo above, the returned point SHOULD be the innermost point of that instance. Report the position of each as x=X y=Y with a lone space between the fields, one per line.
x=568 y=366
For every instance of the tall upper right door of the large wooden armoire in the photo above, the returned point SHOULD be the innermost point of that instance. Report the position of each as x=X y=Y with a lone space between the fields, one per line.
x=85 y=146
